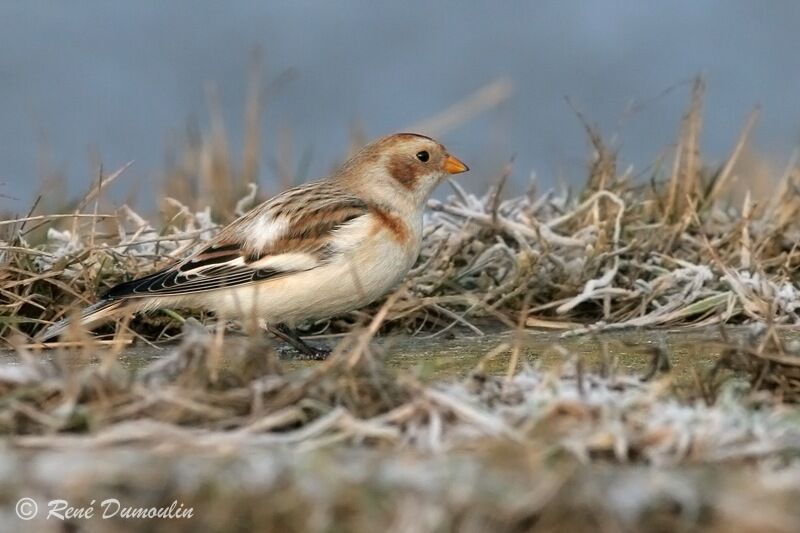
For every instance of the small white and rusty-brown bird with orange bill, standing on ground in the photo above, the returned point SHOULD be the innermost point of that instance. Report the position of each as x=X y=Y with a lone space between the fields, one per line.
x=314 y=251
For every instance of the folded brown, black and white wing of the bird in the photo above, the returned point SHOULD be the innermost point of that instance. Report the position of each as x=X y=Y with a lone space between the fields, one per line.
x=296 y=231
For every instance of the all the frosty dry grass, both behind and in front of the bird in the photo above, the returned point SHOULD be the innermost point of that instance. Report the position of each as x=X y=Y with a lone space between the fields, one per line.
x=348 y=444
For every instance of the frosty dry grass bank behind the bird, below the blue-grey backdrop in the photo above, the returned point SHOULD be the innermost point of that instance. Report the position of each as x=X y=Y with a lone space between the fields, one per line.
x=620 y=254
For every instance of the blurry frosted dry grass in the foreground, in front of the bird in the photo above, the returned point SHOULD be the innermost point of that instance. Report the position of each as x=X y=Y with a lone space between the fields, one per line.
x=349 y=444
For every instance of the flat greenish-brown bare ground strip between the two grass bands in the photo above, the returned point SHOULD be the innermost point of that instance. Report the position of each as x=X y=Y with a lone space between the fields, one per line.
x=435 y=357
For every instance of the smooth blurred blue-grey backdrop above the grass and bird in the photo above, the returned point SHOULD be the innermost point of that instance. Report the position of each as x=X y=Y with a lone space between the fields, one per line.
x=96 y=82
